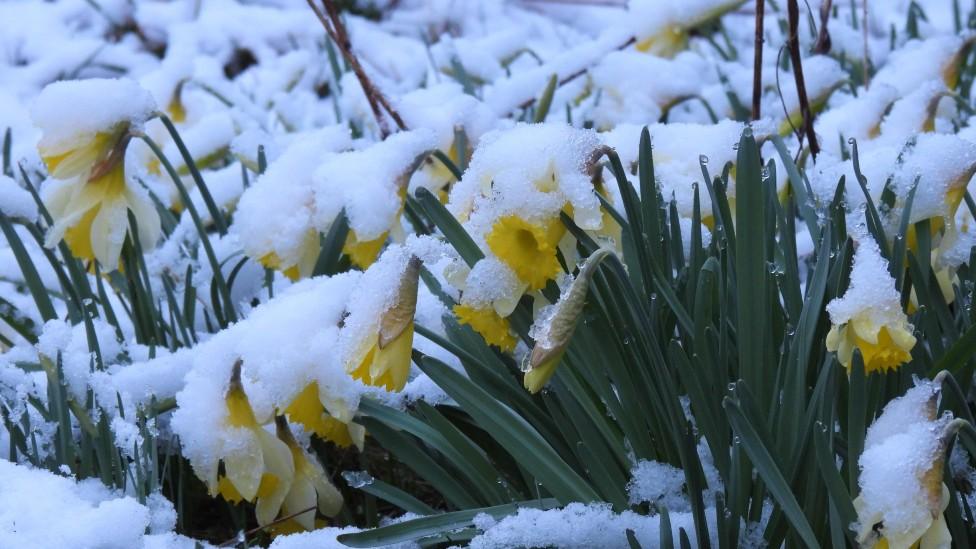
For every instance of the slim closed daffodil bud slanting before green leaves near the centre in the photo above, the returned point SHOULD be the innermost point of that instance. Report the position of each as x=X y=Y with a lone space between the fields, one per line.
x=554 y=330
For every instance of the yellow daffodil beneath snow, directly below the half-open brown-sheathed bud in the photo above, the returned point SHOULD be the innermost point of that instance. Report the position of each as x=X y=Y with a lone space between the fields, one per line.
x=308 y=409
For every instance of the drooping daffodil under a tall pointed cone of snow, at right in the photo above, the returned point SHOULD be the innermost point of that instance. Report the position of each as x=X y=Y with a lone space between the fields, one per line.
x=869 y=317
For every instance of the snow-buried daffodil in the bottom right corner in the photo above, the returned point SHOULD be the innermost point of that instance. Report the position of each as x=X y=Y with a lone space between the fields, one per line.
x=903 y=497
